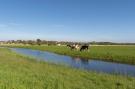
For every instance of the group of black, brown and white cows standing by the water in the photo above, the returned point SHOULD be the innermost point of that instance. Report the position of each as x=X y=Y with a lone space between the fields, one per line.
x=78 y=47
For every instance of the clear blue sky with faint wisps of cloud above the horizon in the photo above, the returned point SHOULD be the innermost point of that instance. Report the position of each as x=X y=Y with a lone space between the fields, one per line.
x=68 y=20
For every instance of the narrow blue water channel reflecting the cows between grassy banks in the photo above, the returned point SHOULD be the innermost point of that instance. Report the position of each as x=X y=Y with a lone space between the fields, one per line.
x=92 y=65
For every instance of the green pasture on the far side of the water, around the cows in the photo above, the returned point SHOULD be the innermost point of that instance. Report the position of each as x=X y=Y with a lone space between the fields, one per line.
x=122 y=54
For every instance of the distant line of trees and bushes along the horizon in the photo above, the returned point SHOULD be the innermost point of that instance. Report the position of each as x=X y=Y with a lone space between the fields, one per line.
x=45 y=42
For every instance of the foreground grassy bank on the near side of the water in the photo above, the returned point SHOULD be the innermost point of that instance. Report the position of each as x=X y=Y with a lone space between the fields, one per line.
x=19 y=72
